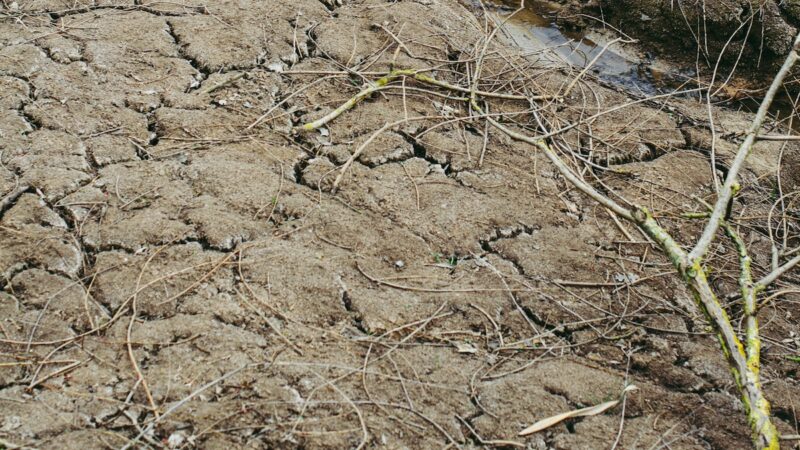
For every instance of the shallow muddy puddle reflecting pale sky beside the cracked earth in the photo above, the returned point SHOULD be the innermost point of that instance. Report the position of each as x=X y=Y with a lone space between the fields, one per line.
x=535 y=31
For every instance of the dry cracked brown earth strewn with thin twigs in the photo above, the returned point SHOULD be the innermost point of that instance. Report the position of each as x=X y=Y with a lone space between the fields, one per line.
x=176 y=271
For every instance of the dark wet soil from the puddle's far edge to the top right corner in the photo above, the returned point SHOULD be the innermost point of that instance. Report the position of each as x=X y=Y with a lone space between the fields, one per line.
x=738 y=41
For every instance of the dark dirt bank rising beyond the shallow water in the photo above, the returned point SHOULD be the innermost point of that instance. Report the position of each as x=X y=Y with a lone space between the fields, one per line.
x=753 y=36
